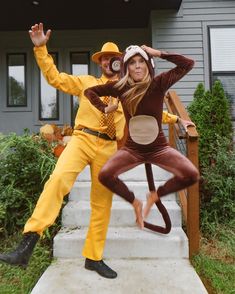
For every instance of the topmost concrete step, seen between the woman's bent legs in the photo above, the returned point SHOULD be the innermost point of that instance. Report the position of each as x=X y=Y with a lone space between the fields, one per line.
x=135 y=174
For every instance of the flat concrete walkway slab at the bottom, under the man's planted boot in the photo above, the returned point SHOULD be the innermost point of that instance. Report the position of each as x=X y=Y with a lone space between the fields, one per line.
x=137 y=276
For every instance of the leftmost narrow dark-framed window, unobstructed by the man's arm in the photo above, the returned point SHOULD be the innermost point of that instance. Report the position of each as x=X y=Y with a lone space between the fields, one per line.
x=16 y=73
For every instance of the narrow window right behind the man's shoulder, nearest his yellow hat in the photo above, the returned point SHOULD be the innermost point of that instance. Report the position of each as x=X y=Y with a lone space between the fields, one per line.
x=79 y=66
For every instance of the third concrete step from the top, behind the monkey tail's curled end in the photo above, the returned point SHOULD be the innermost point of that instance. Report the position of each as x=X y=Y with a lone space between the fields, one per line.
x=77 y=214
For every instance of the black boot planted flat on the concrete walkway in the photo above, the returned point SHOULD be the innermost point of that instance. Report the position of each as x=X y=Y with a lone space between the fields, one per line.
x=101 y=268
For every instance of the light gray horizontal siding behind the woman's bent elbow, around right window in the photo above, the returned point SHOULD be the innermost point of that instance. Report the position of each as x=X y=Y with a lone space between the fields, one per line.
x=186 y=32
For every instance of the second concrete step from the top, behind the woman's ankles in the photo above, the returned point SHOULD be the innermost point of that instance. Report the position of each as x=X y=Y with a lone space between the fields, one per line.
x=81 y=191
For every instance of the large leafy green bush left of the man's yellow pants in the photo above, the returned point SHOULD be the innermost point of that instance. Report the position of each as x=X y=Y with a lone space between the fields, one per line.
x=25 y=164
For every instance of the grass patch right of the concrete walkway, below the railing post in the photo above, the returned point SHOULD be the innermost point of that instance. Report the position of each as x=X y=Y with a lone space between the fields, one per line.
x=215 y=262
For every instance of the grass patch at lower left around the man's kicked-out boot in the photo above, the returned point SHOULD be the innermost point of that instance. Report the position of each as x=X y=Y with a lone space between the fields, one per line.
x=15 y=280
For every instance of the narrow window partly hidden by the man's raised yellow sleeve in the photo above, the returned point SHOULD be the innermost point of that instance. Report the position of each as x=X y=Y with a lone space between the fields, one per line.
x=49 y=106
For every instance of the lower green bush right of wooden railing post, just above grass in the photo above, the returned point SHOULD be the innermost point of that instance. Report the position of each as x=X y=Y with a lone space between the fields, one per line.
x=218 y=188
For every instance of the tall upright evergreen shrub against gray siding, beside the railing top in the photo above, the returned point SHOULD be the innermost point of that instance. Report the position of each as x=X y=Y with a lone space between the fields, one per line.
x=211 y=114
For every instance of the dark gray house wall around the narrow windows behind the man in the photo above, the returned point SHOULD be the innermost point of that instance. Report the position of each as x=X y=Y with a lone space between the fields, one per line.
x=63 y=42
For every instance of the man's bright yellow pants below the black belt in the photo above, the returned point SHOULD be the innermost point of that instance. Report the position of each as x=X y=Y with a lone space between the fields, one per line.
x=83 y=149
